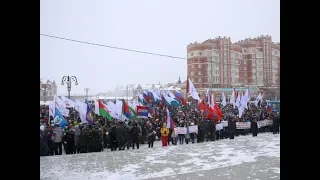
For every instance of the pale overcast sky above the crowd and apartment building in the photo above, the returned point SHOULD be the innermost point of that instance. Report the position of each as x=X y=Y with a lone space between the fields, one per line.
x=159 y=26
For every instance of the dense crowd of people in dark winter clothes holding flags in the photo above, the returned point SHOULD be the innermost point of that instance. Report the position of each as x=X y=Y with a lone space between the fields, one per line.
x=77 y=137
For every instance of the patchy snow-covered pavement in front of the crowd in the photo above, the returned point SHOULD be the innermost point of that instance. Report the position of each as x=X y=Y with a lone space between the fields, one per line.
x=245 y=157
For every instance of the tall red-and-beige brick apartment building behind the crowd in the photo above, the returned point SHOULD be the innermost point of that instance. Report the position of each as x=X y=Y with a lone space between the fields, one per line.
x=219 y=63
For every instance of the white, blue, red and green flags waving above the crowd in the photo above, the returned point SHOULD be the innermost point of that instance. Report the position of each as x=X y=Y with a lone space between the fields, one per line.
x=143 y=107
